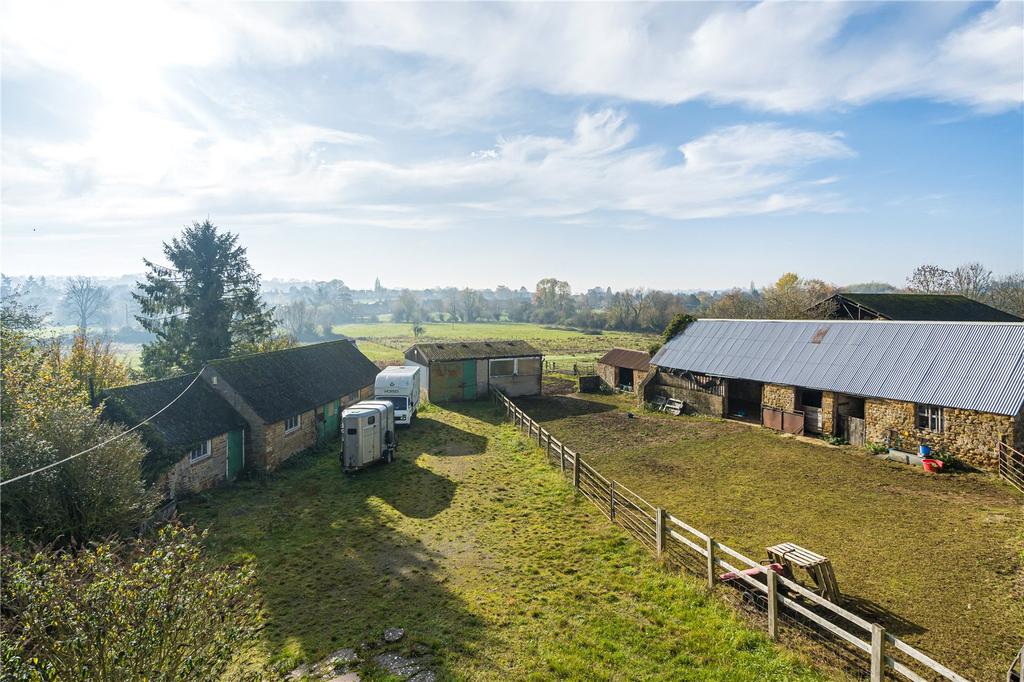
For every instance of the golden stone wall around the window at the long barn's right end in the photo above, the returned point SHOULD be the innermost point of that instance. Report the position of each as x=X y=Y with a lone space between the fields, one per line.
x=967 y=435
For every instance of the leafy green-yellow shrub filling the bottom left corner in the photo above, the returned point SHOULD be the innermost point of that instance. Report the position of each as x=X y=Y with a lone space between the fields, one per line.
x=147 y=610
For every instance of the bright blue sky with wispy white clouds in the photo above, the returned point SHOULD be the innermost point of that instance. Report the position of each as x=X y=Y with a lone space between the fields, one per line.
x=675 y=146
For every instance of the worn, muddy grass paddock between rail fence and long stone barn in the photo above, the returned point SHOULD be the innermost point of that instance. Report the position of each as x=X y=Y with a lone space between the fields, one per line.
x=940 y=561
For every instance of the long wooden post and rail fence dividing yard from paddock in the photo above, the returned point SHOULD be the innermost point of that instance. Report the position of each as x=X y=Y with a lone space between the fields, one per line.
x=677 y=543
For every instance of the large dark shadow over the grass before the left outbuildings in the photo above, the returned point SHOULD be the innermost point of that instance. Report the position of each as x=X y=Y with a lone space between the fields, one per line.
x=337 y=567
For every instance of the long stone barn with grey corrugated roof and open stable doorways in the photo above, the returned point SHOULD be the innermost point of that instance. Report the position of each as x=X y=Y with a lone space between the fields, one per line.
x=958 y=388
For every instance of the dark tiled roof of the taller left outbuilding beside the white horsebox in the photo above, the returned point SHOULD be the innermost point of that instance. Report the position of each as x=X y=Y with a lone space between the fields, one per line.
x=283 y=383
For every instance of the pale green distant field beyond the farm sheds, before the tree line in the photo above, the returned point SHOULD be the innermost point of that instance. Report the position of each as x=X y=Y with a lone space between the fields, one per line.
x=561 y=343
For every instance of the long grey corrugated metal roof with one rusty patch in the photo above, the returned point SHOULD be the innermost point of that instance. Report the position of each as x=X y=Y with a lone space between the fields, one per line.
x=971 y=366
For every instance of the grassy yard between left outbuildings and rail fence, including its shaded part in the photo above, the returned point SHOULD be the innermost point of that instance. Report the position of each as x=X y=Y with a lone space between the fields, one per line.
x=481 y=551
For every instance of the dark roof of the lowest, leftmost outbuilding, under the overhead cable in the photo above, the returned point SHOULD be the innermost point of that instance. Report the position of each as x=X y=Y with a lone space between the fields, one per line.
x=200 y=414
